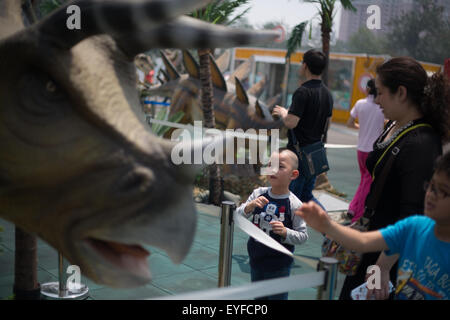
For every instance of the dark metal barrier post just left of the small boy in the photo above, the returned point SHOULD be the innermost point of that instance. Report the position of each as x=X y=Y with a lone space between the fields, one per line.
x=226 y=243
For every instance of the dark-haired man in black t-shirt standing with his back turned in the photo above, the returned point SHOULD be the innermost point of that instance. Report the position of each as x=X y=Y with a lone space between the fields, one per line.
x=309 y=115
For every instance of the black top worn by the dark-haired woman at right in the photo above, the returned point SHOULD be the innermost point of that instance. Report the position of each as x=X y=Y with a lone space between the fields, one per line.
x=403 y=193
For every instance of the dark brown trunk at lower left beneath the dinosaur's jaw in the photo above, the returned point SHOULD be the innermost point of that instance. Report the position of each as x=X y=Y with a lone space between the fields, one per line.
x=26 y=286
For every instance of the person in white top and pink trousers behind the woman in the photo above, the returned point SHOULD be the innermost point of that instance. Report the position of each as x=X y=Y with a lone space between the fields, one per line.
x=371 y=124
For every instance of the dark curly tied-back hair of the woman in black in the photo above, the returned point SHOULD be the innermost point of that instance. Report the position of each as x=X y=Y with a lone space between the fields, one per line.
x=431 y=95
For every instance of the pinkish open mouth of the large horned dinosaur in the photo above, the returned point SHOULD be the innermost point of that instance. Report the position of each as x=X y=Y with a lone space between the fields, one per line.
x=132 y=258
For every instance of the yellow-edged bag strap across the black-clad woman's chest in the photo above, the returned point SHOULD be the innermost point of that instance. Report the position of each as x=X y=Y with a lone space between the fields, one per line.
x=375 y=195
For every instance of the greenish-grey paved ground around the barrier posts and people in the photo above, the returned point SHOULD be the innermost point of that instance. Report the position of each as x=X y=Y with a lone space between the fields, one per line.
x=199 y=269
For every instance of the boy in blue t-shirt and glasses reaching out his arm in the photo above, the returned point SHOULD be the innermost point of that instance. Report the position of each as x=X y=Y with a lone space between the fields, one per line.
x=421 y=242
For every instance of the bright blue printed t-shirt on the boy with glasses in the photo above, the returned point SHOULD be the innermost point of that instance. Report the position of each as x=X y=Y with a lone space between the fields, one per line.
x=424 y=264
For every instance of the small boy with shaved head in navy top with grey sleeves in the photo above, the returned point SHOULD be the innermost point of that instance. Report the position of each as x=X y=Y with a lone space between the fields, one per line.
x=272 y=210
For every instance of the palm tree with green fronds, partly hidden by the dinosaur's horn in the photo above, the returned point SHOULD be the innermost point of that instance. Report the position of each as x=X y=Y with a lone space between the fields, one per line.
x=217 y=12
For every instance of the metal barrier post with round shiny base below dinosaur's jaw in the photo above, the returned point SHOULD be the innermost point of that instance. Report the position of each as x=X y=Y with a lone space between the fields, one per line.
x=59 y=290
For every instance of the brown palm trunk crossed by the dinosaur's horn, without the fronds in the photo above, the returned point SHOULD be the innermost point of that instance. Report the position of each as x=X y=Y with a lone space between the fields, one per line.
x=215 y=185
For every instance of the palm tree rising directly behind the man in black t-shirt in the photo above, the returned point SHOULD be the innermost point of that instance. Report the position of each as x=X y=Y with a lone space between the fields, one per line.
x=327 y=13
